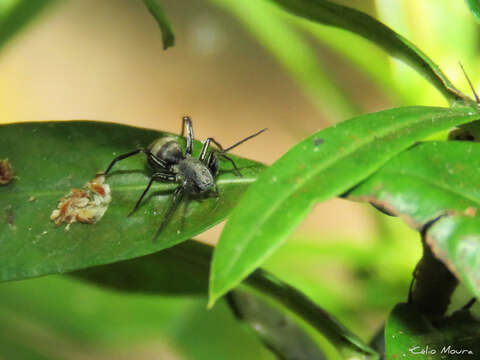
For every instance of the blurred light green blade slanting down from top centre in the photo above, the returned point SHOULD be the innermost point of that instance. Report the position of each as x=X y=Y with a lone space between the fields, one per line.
x=265 y=22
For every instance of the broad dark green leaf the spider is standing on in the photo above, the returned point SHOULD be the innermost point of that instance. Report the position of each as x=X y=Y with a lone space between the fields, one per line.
x=50 y=158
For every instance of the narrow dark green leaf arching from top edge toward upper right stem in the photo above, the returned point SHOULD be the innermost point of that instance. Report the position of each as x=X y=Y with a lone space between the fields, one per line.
x=328 y=13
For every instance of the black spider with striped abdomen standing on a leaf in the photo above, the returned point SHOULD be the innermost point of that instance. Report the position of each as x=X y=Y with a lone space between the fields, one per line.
x=170 y=164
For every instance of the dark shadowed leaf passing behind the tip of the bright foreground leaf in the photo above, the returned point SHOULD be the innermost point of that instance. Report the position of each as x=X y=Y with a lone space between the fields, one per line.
x=193 y=258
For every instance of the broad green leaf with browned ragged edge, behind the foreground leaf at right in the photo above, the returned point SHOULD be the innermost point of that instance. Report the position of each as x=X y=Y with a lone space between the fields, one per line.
x=428 y=180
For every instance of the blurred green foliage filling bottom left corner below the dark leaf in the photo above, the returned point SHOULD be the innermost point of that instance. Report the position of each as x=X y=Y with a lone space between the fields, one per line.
x=69 y=319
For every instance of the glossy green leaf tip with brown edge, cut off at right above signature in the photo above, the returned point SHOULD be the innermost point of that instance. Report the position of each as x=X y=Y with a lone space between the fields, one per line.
x=455 y=240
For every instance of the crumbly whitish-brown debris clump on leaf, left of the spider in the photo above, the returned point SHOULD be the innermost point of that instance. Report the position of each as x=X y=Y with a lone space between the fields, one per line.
x=87 y=205
